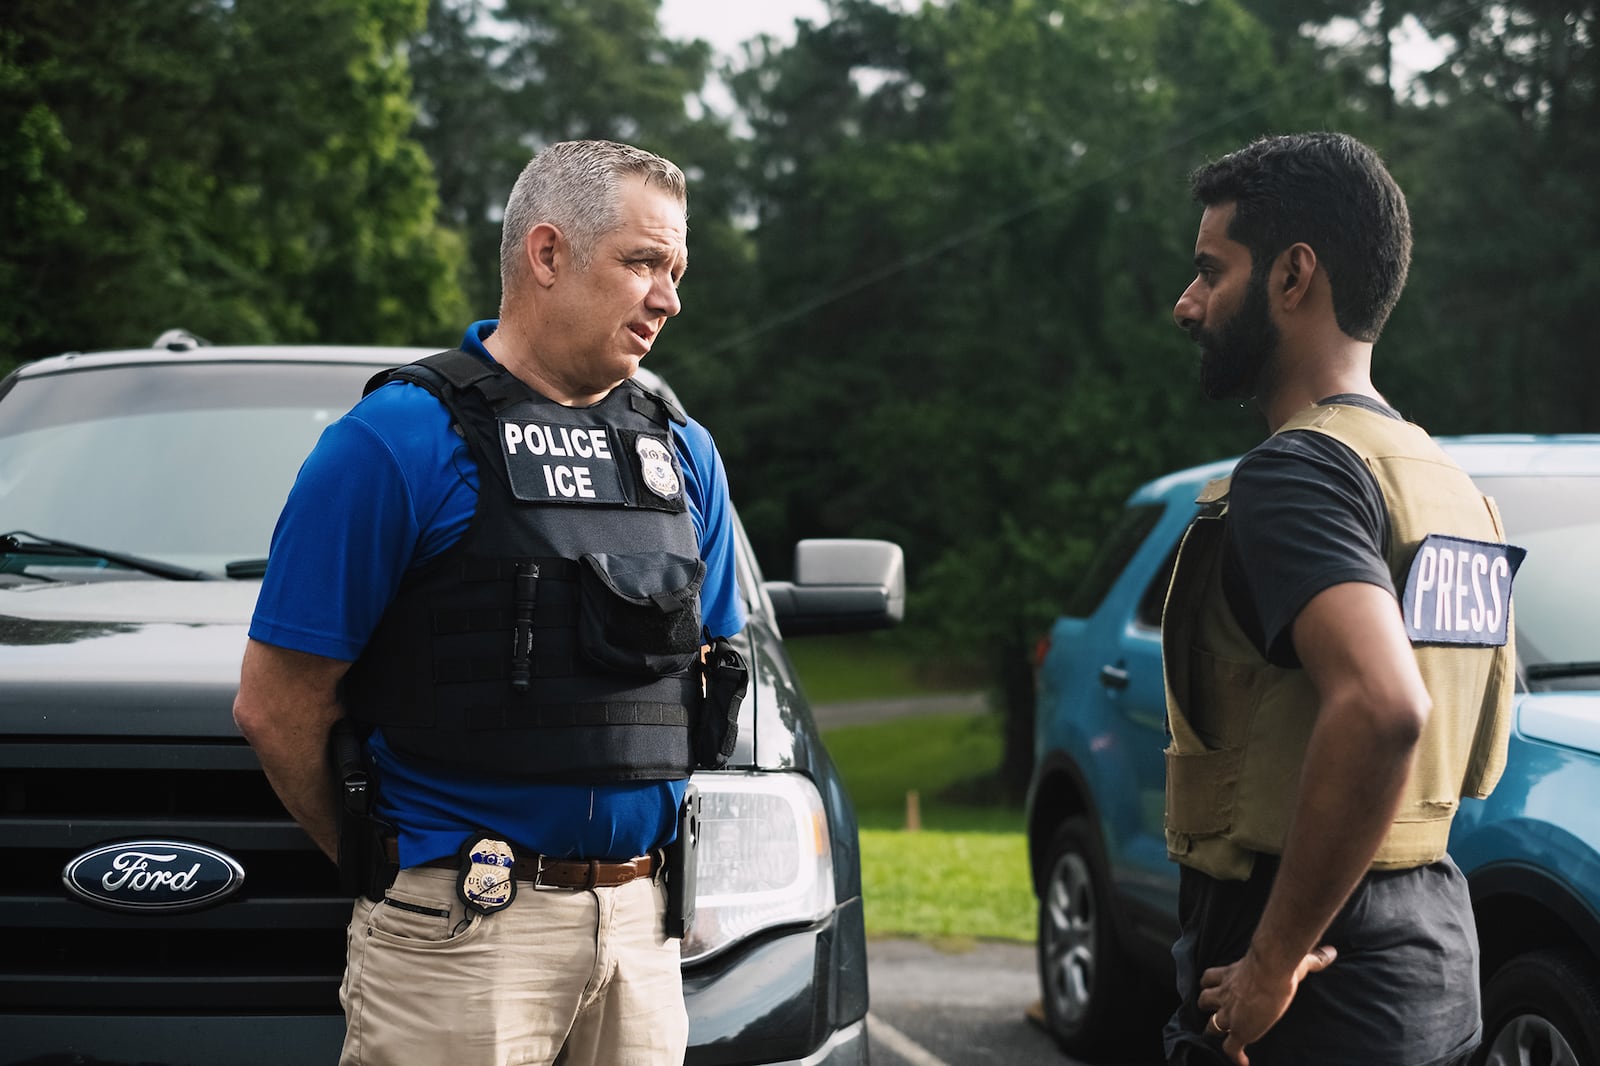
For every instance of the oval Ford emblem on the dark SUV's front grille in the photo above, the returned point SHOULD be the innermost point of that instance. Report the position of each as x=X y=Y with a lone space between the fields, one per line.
x=153 y=876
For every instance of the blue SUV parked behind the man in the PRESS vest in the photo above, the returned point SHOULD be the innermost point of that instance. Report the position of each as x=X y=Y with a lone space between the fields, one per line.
x=1108 y=896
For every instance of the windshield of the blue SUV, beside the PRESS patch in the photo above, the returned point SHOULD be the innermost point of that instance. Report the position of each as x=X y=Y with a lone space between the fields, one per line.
x=1558 y=519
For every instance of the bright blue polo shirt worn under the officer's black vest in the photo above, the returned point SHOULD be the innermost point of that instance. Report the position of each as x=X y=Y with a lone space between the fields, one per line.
x=388 y=489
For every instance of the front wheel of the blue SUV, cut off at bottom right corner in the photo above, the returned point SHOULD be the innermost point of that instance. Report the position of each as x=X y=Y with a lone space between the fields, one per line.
x=1542 y=1009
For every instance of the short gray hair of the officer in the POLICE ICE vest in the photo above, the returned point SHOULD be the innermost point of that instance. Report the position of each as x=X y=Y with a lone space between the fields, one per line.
x=575 y=186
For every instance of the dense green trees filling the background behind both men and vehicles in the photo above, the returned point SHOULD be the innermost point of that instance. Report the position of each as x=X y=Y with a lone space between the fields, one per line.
x=934 y=254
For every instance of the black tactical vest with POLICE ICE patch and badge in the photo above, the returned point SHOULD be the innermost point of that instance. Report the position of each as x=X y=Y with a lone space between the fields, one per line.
x=559 y=639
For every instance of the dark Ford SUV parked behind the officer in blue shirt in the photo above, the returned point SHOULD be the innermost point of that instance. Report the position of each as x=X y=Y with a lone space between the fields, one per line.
x=159 y=905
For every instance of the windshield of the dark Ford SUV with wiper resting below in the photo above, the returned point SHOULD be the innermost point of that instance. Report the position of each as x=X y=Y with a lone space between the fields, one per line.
x=186 y=465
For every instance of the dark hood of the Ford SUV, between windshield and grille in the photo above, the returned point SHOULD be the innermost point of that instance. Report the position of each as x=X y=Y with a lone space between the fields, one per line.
x=122 y=657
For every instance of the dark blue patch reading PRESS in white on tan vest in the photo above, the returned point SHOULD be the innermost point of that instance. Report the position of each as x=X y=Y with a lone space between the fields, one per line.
x=1458 y=591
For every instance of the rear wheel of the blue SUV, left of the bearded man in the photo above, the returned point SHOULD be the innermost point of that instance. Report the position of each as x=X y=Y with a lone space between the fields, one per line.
x=1094 y=996
